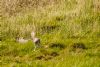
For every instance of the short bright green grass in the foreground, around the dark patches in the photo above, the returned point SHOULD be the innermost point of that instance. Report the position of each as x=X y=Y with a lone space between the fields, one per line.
x=15 y=54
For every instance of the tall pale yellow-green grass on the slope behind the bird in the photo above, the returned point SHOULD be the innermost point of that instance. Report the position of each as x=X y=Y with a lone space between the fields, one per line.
x=80 y=20
